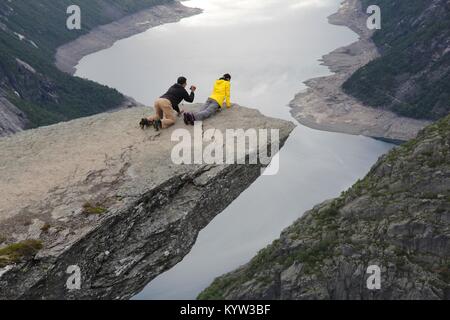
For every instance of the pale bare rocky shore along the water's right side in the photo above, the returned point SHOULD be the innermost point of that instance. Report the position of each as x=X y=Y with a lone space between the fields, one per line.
x=325 y=106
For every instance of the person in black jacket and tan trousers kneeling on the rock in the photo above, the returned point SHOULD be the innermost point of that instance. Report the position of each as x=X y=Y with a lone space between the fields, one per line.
x=168 y=104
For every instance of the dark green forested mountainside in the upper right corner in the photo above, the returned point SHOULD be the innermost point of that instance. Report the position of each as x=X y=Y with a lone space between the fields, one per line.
x=412 y=76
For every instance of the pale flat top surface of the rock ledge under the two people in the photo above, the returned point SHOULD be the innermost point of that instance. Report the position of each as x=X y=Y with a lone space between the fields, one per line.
x=63 y=183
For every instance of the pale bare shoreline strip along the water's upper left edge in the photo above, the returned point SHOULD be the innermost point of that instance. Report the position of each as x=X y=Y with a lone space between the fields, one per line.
x=103 y=37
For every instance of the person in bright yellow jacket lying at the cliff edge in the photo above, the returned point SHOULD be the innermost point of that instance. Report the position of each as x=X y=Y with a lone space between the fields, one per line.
x=221 y=94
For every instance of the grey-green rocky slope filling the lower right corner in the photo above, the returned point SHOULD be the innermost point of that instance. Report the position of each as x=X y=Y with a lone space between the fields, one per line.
x=397 y=217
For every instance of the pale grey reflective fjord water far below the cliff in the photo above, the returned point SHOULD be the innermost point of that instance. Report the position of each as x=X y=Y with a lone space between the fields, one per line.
x=270 y=47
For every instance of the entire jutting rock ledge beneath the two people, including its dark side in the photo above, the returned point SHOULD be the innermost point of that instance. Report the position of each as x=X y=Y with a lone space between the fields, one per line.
x=101 y=194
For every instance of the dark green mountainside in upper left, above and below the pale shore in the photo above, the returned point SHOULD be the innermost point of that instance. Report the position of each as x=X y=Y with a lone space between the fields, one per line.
x=33 y=92
